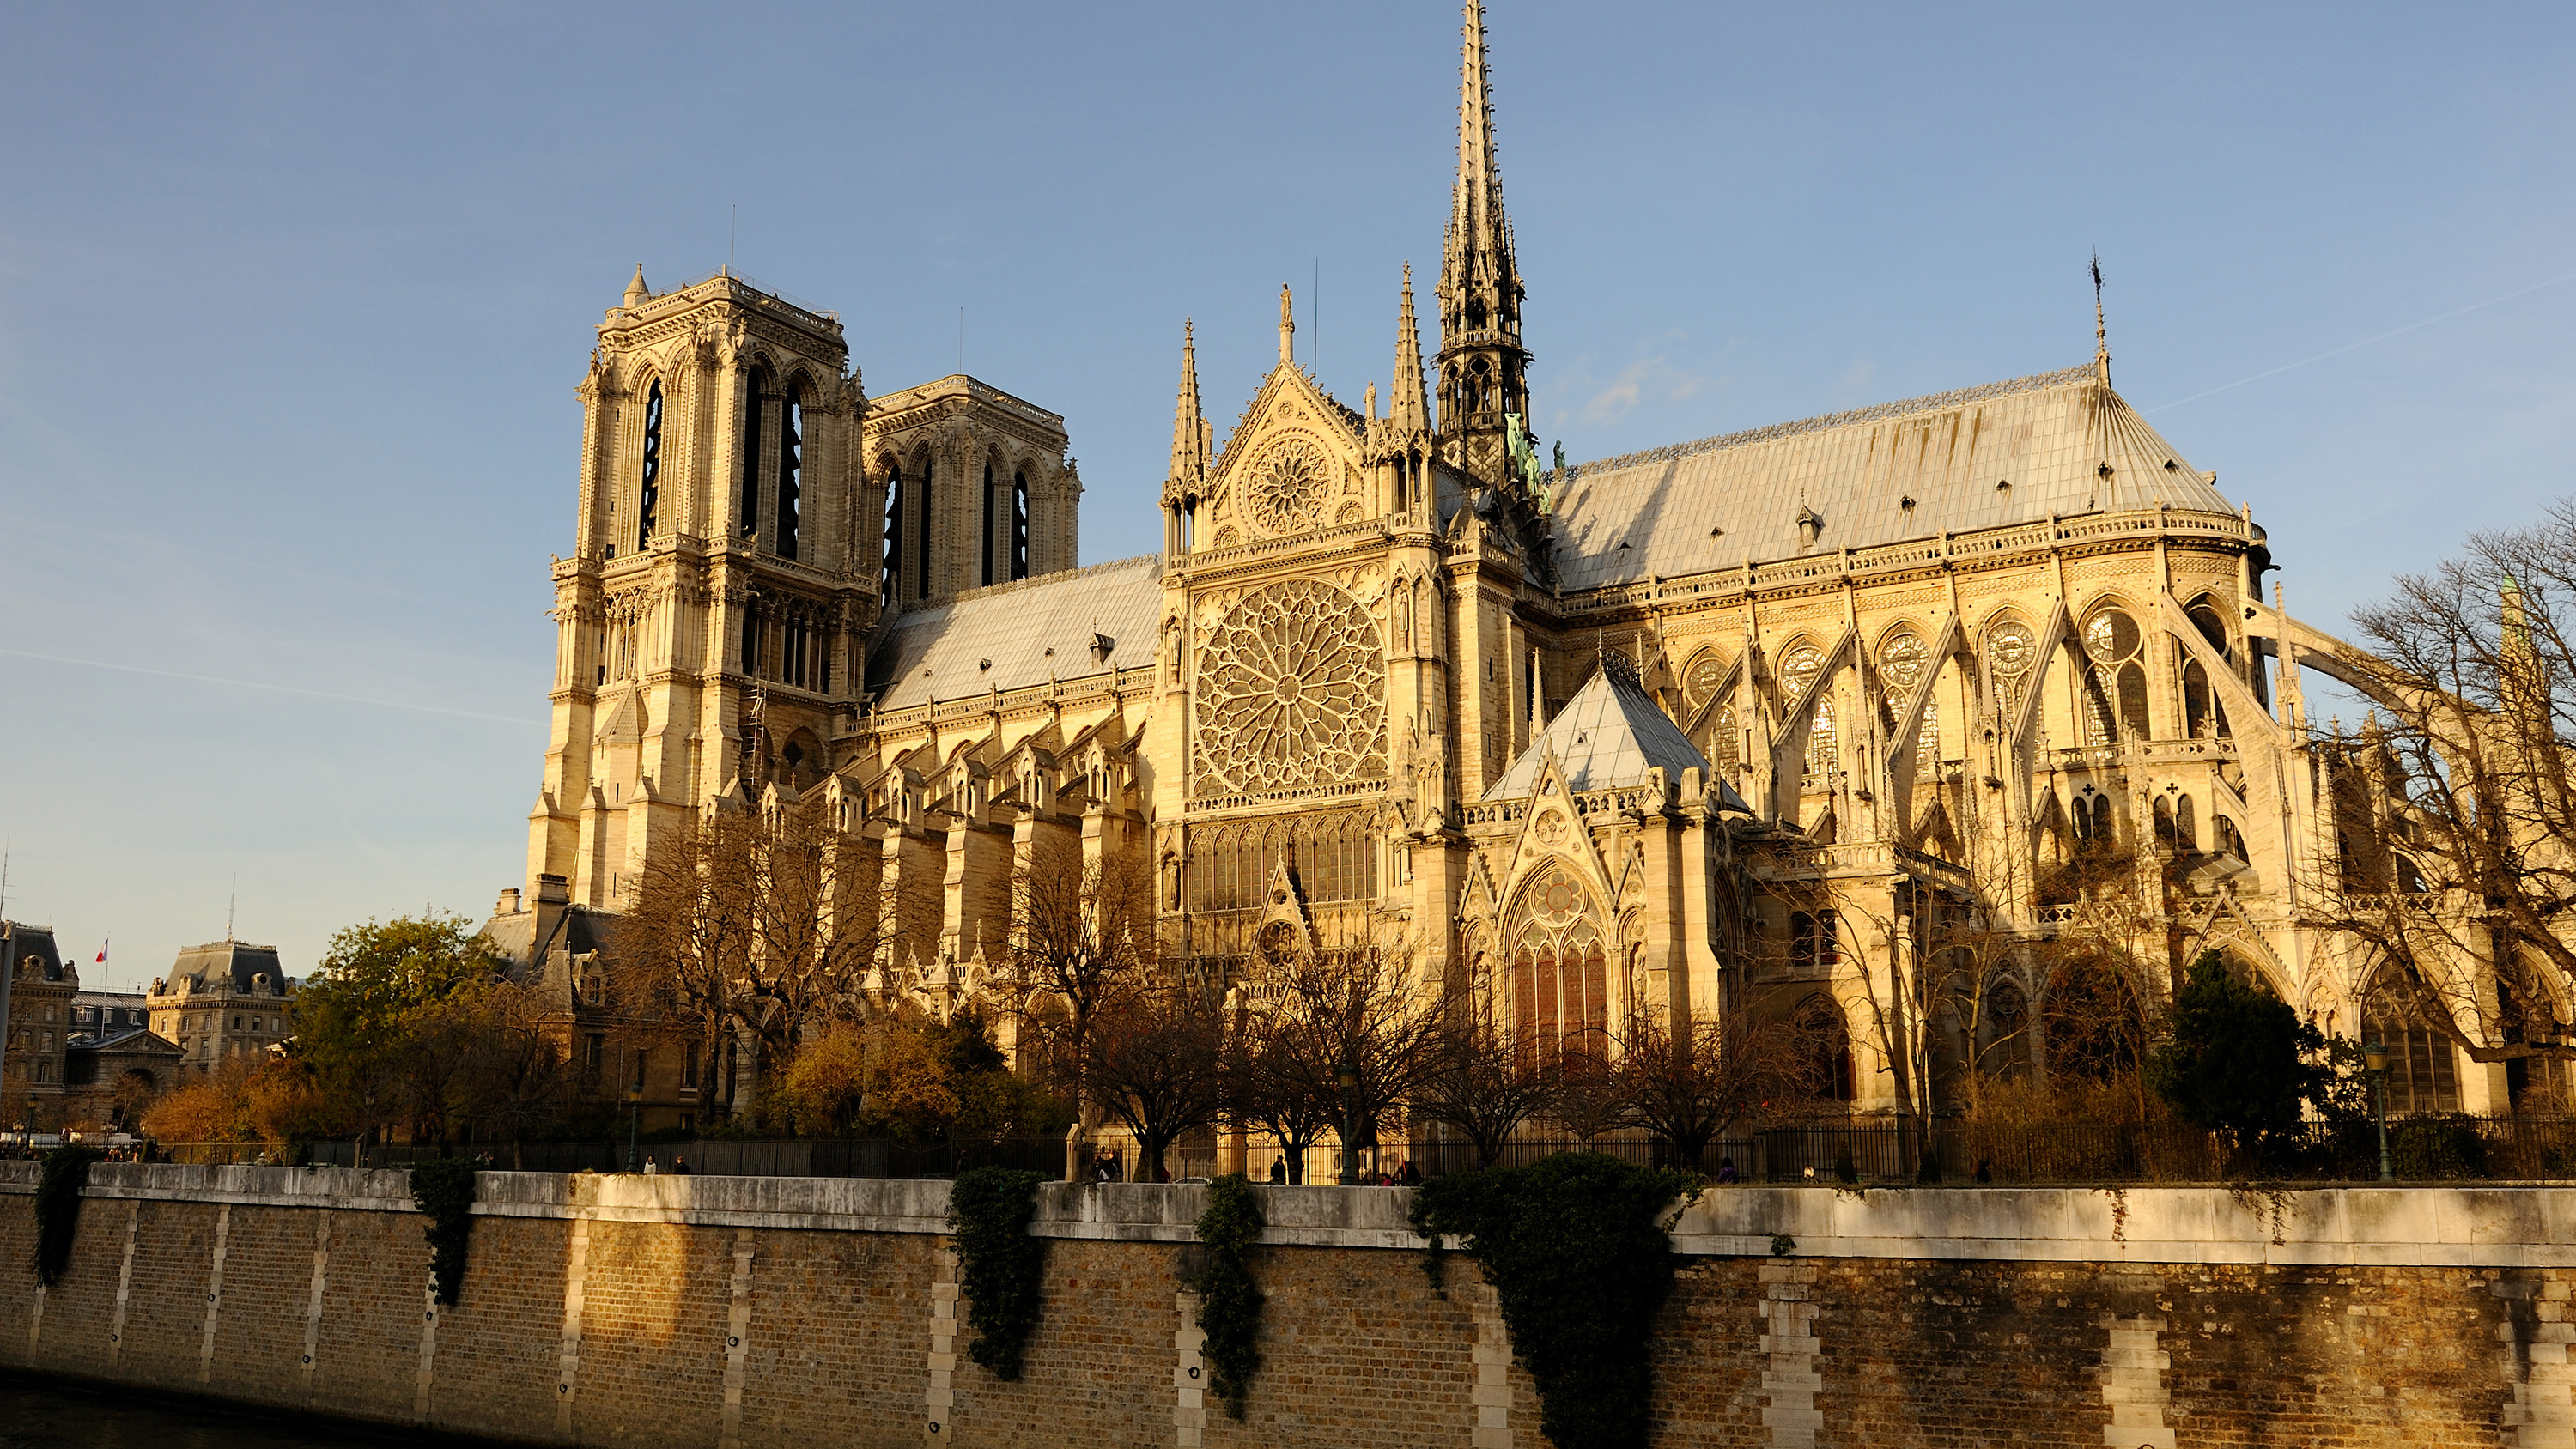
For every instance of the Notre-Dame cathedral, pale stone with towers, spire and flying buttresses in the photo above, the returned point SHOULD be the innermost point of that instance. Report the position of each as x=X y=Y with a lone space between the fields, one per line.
x=1714 y=727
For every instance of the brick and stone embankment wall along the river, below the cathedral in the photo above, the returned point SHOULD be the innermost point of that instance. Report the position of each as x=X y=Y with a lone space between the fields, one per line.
x=820 y=1314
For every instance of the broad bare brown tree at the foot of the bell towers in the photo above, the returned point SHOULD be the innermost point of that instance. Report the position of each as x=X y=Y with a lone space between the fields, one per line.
x=756 y=920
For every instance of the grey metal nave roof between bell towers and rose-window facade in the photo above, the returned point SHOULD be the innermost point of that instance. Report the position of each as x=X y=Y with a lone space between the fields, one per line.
x=1019 y=634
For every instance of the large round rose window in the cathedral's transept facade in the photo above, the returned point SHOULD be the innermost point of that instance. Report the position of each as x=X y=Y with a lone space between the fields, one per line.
x=1292 y=694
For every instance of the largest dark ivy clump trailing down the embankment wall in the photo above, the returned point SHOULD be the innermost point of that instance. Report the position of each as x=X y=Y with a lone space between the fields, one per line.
x=1580 y=1255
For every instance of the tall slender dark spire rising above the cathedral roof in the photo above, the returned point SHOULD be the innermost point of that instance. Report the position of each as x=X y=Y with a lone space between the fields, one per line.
x=1482 y=369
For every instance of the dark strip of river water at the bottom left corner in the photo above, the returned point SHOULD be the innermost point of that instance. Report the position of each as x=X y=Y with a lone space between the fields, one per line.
x=37 y=1414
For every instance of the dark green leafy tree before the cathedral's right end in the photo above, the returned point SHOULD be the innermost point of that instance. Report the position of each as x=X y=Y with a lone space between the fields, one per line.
x=2237 y=1062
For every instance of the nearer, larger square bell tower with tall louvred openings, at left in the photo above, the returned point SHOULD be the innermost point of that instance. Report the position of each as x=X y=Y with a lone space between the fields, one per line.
x=723 y=578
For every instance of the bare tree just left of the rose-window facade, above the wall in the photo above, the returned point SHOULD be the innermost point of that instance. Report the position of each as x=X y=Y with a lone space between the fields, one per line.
x=1081 y=936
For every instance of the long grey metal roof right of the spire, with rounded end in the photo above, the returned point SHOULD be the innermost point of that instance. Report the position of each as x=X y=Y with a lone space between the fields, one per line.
x=1972 y=459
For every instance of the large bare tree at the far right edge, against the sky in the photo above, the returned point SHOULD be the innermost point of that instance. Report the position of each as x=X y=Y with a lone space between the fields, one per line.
x=2454 y=848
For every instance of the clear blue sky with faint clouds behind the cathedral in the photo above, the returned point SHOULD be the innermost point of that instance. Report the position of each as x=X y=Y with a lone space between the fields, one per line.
x=295 y=300
